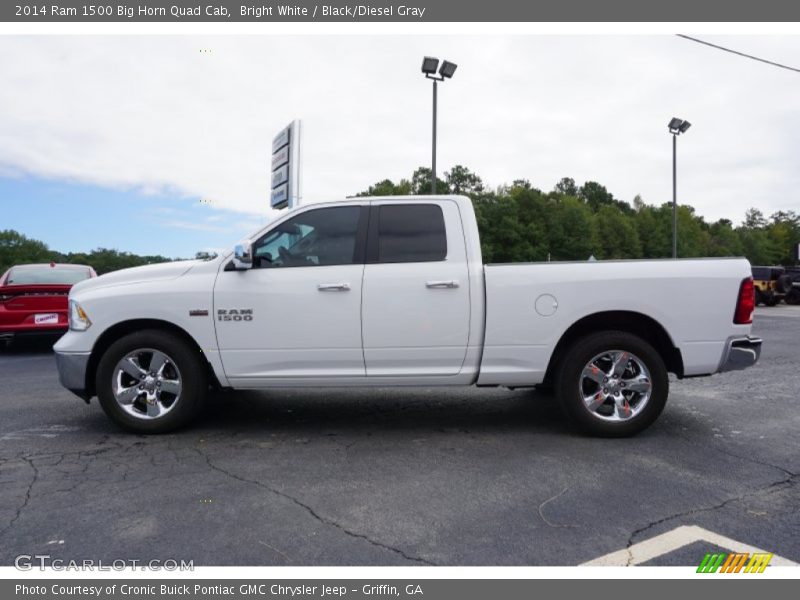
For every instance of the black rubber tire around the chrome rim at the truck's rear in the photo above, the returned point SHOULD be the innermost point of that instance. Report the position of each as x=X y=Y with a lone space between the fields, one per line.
x=569 y=380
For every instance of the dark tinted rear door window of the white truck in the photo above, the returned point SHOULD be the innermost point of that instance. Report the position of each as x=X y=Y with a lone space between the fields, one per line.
x=411 y=233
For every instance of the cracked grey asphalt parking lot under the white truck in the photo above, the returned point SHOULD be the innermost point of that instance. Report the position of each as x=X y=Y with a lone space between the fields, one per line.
x=401 y=477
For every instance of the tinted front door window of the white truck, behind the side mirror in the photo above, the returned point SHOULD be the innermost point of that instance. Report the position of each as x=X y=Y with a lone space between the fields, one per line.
x=315 y=238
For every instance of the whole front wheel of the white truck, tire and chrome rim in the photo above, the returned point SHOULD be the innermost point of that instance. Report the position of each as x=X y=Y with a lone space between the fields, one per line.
x=151 y=382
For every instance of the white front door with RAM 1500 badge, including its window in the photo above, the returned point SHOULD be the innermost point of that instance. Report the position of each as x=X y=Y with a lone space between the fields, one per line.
x=297 y=312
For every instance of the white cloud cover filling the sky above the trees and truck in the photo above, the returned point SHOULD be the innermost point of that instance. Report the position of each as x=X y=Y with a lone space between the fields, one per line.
x=156 y=115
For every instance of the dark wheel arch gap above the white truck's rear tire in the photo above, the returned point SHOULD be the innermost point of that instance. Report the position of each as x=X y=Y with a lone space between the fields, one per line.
x=632 y=322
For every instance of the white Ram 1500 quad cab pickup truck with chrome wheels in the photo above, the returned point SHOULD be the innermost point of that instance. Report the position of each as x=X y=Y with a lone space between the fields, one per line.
x=392 y=291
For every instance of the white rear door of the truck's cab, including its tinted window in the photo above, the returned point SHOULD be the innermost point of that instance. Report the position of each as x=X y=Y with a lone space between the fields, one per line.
x=416 y=307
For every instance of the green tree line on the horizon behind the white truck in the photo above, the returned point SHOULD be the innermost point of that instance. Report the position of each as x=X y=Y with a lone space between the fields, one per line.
x=521 y=223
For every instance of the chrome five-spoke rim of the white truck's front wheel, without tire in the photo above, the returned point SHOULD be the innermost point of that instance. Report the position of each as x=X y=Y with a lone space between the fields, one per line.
x=146 y=383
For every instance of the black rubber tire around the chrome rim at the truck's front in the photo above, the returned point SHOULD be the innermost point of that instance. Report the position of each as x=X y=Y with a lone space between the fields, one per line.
x=191 y=370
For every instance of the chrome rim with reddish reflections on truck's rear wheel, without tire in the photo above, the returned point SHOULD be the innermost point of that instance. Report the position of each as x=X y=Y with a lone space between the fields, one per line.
x=615 y=385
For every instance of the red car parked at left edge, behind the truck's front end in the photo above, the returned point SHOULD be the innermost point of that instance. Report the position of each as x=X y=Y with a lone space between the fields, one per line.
x=33 y=298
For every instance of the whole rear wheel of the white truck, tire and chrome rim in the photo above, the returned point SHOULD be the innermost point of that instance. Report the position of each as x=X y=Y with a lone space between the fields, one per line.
x=612 y=384
